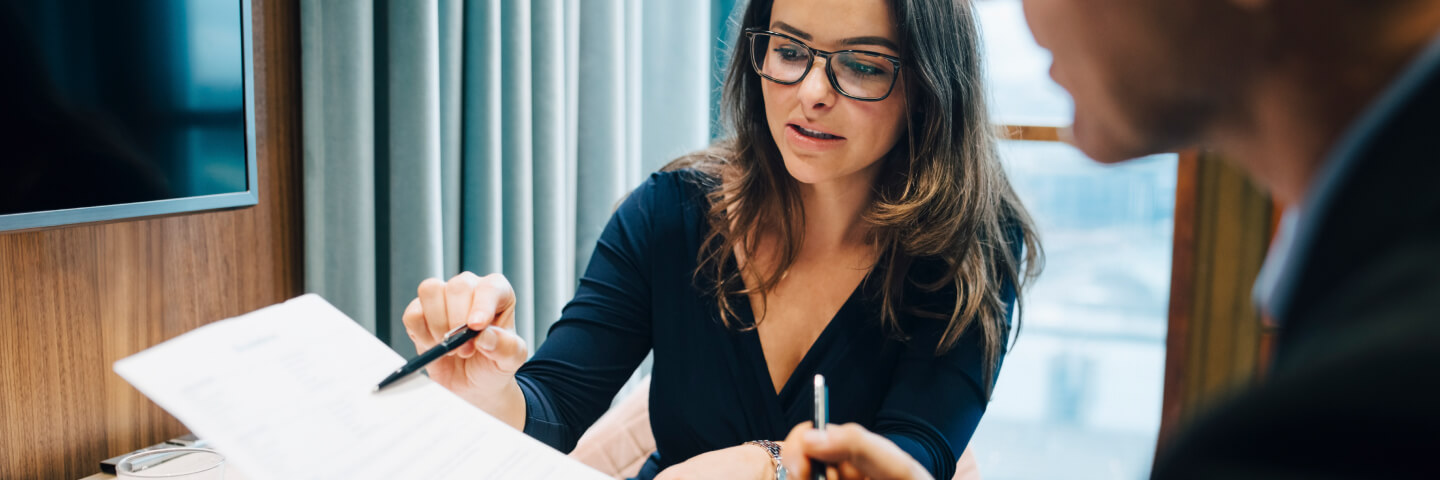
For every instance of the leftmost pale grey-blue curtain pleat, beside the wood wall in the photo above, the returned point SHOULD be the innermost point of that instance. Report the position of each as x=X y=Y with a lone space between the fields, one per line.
x=338 y=41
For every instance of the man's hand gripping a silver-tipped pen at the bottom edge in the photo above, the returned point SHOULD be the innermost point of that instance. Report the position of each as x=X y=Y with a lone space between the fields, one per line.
x=852 y=453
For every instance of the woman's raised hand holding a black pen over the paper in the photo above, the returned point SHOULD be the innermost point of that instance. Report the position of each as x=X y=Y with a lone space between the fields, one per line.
x=485 y=370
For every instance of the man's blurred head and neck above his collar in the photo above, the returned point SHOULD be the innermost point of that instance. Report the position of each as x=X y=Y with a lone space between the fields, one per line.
x=1160 y=76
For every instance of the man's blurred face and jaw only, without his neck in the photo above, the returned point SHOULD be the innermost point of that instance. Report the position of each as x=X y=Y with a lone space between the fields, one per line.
x=1150 y=76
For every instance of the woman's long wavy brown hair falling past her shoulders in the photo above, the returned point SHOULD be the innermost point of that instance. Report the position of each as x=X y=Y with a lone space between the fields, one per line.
x=941 y=195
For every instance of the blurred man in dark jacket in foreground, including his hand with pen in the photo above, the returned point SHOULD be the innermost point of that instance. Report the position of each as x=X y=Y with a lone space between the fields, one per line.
x=1331 y=106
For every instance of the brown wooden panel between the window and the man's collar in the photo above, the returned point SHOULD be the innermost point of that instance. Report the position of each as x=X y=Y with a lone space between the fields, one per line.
x=1216 y=339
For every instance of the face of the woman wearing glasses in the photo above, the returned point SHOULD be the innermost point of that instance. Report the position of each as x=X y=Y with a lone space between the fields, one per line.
x=822 y=135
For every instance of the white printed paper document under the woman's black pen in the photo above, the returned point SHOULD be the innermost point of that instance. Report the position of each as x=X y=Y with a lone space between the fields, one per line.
x=286 y=393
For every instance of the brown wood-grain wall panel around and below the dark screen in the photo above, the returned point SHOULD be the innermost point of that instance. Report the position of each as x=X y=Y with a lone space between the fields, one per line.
x=74 y=301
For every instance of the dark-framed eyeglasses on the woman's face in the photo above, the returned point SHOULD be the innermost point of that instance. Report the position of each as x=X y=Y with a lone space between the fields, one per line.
x=856 y=74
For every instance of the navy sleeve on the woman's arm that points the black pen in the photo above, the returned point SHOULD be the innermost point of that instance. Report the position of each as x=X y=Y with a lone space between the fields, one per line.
x=604 y=332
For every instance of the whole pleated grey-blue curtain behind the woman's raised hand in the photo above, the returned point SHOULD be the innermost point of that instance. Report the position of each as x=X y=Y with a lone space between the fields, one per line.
x=492 y=136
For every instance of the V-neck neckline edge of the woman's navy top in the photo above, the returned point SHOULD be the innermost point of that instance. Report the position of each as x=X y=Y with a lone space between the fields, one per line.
x=807 y=368
